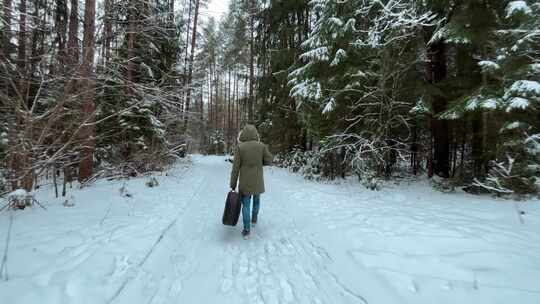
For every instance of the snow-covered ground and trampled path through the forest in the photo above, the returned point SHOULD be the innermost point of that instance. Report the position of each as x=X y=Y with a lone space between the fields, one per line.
x=315 y=243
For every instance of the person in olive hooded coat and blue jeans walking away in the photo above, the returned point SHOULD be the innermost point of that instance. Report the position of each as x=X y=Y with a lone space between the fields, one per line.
x=249 y=158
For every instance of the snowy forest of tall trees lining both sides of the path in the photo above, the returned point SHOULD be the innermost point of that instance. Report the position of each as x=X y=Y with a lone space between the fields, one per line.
x=378 y=89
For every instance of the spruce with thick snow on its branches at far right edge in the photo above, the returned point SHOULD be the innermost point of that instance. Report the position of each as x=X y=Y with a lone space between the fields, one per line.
x=511 y=91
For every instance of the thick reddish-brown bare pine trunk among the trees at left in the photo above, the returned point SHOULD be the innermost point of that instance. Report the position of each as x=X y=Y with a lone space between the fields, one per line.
x=87 y=131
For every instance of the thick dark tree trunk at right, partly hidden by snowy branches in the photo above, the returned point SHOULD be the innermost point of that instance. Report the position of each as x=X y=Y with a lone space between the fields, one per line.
x=440 y=128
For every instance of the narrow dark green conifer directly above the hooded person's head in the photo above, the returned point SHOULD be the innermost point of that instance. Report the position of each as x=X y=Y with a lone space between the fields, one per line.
x=282 y=28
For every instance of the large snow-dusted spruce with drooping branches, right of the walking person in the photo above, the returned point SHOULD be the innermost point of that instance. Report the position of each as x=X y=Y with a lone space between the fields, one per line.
x=354 y=73
